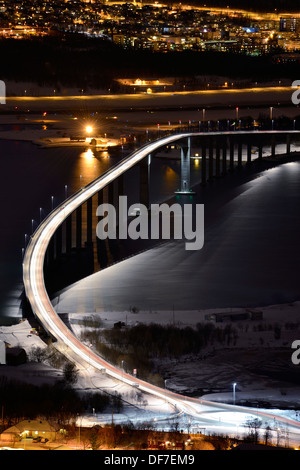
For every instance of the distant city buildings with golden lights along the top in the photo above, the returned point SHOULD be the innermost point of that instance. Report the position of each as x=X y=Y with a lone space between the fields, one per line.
x=154 y=26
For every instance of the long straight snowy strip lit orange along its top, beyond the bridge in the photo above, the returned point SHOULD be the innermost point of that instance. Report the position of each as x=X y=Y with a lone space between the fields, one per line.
x=264 y=96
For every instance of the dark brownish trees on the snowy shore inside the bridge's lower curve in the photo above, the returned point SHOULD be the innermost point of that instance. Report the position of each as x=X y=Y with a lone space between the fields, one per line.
x=140 y=346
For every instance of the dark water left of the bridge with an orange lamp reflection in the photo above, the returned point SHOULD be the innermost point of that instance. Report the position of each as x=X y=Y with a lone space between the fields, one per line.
x=30 y=176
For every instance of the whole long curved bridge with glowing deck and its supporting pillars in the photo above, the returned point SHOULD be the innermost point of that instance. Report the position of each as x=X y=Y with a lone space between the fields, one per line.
x=219 y=153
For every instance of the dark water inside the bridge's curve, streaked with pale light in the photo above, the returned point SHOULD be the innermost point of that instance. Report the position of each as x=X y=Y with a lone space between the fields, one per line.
x=250 y=258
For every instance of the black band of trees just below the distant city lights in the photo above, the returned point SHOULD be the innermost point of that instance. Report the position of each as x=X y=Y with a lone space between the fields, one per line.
x=76 y=61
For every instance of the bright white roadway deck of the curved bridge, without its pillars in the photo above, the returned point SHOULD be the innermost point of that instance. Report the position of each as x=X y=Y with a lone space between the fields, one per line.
x=42 y=308
